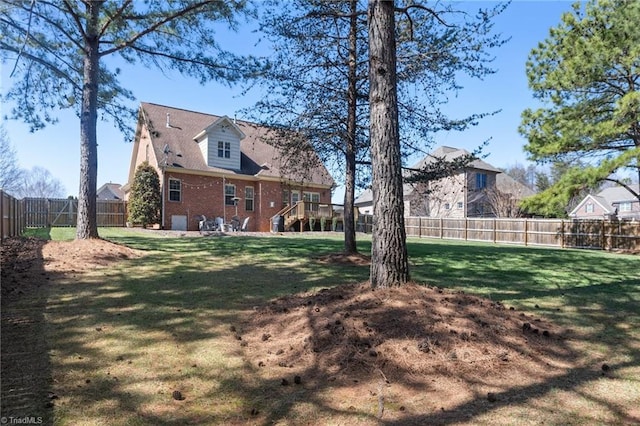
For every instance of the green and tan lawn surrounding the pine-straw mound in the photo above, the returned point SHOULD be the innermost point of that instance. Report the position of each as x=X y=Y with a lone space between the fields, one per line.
x=164 y=319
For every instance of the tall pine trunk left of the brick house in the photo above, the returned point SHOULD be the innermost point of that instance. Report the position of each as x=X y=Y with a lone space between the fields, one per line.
x=87 y=226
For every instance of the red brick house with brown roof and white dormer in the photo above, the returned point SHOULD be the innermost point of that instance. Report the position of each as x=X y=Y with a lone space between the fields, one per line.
x=219 y=167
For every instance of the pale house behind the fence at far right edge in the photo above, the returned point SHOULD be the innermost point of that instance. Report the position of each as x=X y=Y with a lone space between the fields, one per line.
x=615 y=202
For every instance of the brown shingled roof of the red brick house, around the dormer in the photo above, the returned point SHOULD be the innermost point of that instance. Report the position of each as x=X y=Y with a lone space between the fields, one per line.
x=173 y=129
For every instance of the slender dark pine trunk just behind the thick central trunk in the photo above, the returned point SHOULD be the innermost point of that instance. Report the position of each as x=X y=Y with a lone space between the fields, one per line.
x=350 y=153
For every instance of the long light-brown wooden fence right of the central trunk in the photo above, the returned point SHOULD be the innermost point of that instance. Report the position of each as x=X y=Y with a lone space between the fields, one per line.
x=592 y=234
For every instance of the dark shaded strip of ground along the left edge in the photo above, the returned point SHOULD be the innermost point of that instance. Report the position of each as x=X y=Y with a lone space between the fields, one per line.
x=26 y=368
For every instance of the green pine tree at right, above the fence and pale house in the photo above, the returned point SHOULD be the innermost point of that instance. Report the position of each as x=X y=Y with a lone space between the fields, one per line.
x=586 y=74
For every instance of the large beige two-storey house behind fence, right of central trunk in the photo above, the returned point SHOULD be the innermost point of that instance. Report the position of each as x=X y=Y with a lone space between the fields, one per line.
x=464 y=194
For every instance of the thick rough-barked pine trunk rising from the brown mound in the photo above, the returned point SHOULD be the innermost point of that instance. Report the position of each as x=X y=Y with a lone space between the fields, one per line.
x=389 y=261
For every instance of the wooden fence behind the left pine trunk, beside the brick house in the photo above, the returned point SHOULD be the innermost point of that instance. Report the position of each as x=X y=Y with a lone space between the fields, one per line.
x=45 y=212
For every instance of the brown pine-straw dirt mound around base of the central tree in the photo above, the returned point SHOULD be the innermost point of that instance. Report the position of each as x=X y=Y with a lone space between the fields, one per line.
x=392 y=345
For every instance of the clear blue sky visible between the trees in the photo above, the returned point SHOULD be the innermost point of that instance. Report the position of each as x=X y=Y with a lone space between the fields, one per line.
x=57 y=148
